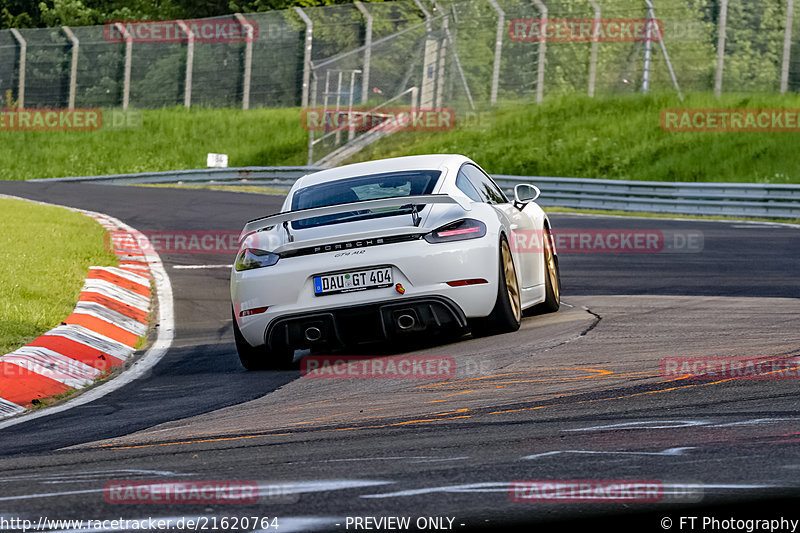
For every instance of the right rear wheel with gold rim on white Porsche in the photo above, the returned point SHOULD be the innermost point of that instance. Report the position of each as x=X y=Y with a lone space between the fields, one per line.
x=506 y=316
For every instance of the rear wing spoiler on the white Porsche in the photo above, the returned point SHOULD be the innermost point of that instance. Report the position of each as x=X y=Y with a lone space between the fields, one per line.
x=313 y=212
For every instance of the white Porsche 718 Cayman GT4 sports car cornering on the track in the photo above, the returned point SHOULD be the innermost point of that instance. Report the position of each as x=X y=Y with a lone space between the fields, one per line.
x=383 y=250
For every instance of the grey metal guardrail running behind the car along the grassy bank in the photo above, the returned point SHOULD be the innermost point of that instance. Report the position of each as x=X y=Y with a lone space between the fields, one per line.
x=728 y=199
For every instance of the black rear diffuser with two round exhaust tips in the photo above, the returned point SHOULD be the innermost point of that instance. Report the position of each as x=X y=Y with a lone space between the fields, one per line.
x=363 y=324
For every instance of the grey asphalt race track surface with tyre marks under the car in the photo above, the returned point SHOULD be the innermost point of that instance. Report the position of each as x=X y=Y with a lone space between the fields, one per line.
x=575 y=395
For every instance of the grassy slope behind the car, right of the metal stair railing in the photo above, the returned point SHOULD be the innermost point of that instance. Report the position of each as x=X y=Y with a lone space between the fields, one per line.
x=612 y=138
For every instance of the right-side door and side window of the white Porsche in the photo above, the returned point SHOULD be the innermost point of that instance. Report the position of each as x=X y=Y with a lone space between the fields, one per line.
x=518 y=221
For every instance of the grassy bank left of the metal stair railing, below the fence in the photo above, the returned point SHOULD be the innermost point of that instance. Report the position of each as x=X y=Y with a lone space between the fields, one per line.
x=168 y=139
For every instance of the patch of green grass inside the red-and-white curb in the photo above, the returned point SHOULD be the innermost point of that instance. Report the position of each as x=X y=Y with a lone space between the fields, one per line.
x=46 y=253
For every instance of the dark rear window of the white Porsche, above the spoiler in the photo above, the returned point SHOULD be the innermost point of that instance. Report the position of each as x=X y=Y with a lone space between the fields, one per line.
x=370 y=187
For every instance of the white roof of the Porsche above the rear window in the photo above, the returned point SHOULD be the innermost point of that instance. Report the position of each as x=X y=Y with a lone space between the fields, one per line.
x=413 y=162
